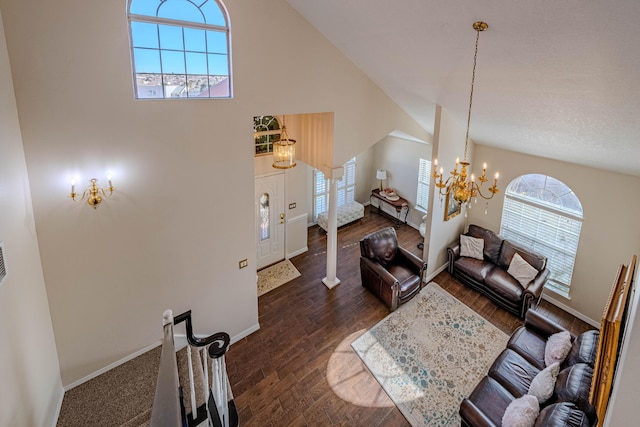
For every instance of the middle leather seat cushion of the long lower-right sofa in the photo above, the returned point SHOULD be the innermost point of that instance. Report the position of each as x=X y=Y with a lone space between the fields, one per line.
x=513 y=372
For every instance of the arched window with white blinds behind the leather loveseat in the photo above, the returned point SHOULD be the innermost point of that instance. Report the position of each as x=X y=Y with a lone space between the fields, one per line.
x=545 y=215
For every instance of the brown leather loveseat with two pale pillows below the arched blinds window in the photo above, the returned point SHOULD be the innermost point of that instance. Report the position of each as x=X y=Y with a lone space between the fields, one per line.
x=489 y=276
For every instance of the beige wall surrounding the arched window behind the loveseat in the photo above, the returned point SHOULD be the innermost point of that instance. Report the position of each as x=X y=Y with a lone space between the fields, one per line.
x=610 y=230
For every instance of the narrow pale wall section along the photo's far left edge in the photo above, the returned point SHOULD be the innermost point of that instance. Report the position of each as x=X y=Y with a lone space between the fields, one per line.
x=31 y=390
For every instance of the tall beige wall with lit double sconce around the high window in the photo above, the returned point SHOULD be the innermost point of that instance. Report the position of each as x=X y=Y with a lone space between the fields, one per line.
x=182 y=215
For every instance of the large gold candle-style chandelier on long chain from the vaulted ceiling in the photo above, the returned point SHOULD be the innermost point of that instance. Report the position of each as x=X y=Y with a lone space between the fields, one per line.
x=460 y=186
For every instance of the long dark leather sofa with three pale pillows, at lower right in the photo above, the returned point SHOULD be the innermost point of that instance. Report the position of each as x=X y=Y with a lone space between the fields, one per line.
x=512 y=372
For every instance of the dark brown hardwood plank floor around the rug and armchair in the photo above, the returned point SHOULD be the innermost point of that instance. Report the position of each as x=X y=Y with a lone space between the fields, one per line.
x=299 y=369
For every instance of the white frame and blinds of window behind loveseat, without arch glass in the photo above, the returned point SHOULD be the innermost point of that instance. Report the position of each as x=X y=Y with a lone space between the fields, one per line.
x=545 y=228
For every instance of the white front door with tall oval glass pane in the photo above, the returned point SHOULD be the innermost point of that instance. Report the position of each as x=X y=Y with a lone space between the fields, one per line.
x=270 y=219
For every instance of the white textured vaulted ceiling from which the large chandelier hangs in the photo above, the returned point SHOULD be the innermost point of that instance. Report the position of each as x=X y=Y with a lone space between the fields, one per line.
x=555 y=78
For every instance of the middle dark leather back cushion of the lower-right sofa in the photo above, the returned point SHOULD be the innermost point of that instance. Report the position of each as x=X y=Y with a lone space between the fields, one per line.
x=573 y=385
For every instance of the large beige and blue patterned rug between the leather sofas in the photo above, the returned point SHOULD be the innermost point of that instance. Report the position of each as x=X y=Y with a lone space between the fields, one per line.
x=429 y=354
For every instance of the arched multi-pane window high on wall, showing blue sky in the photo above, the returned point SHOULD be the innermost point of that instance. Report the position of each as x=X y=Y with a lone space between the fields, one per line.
x=180 y=48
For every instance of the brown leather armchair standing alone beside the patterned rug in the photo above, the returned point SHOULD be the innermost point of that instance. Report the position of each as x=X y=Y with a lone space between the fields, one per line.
x=388 y=270
